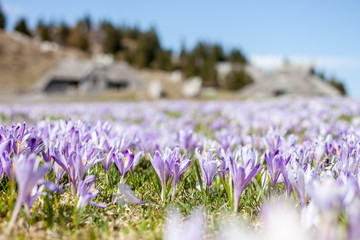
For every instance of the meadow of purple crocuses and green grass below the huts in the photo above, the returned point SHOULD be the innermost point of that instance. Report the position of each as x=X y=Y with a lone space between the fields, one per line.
x=281 y=169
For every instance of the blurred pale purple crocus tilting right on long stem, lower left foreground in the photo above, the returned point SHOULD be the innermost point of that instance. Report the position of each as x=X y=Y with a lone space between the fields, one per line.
x=27 y=174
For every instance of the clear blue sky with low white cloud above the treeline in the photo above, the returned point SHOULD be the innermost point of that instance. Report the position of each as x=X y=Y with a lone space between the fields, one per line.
x=323 y=33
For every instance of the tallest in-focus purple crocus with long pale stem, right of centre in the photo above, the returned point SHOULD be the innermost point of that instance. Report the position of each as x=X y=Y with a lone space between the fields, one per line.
x=242 y=172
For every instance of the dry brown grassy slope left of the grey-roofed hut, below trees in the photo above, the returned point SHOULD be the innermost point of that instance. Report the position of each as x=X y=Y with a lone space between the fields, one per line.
x=23 y=61
